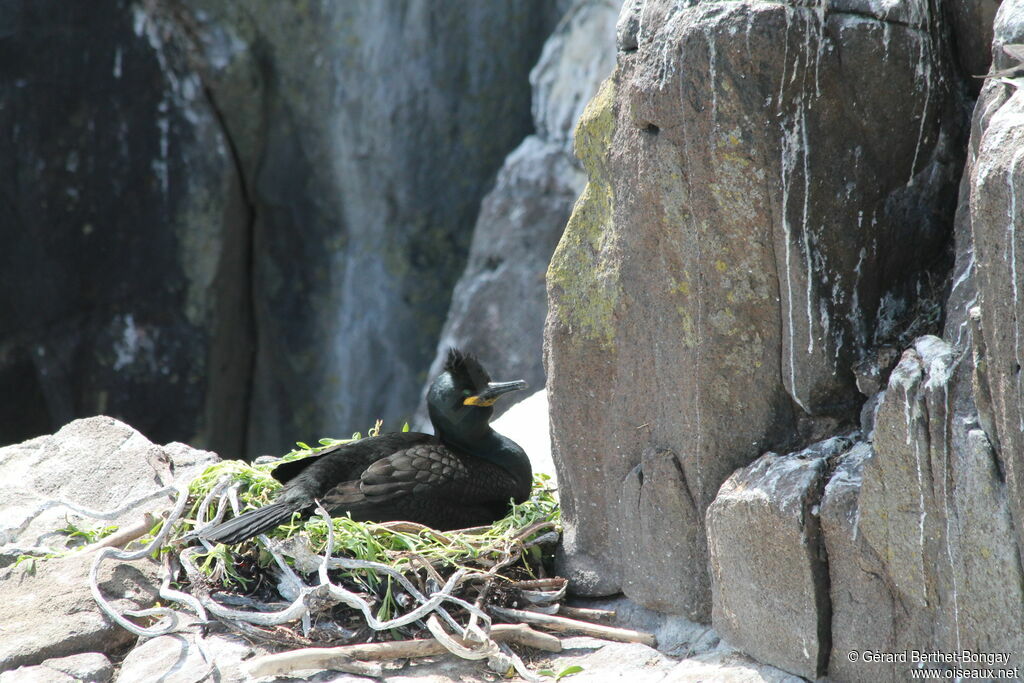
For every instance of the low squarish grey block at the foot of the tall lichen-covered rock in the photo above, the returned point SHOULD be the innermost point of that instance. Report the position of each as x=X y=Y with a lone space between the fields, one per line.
x=769 y=566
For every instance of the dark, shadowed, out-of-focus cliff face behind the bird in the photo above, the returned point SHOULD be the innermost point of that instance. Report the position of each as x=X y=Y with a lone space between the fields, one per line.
x=254 y=212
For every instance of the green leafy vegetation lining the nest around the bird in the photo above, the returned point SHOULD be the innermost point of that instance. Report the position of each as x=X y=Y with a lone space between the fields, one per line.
x=416 y=551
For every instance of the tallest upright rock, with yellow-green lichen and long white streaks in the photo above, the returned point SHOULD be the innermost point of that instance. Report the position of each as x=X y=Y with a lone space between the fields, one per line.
x=702 y=229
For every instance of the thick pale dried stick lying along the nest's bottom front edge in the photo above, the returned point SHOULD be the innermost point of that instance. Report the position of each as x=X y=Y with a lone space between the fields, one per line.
x=331 y=658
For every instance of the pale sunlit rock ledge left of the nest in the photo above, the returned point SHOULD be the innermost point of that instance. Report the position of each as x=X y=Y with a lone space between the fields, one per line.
x=92 y=465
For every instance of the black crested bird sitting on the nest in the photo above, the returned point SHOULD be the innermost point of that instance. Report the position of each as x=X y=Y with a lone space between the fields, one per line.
x=463 y=477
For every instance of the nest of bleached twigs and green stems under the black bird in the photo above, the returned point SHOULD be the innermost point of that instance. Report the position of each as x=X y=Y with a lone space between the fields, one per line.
x=371 y=591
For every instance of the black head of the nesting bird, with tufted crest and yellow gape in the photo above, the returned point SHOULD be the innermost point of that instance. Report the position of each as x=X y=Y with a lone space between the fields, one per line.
x=461 y=399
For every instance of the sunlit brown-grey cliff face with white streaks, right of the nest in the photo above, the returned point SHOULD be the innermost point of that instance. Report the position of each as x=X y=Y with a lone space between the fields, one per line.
x=771 y=226
